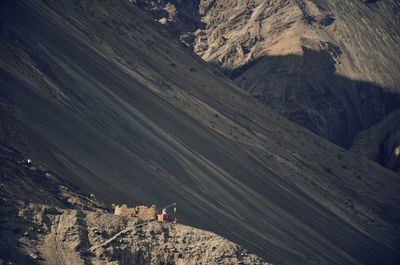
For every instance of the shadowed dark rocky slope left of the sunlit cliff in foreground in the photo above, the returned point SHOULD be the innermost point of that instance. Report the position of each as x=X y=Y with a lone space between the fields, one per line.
x=30 y=196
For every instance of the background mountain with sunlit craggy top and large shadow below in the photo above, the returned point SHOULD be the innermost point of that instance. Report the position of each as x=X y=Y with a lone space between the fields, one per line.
x=330 y=66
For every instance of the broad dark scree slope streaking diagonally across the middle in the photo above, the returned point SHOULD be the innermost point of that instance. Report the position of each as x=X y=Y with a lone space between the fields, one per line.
x=98 y=94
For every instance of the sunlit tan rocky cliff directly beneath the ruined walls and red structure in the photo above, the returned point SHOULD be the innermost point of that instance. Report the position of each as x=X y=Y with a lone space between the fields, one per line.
x=117 y=240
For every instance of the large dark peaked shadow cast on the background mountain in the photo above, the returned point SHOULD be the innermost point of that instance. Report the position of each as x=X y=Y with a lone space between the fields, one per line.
x=306 y=90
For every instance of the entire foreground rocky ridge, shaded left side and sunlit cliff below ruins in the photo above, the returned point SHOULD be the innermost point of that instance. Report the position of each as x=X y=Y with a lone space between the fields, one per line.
x=45 y=220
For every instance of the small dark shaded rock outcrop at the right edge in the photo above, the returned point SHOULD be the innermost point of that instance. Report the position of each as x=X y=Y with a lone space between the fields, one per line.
x=381 y=143
